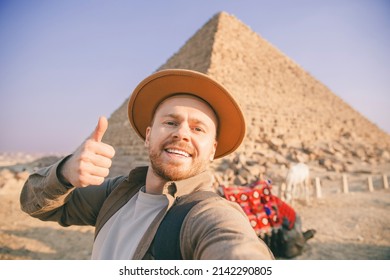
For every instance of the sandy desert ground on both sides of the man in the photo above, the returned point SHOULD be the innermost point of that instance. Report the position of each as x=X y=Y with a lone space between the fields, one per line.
x=349 y=226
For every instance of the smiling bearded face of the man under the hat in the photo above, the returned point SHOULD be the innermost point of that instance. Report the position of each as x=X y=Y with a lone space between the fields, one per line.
x=182 y=138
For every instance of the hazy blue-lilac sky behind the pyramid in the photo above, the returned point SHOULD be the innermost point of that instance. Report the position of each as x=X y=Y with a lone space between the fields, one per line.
x=65 y=63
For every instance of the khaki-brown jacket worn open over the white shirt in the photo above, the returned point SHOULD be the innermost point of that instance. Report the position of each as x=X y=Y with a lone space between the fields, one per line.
x=213 y=229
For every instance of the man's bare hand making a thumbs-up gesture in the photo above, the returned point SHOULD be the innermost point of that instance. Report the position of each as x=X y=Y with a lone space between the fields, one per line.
x=90 y=163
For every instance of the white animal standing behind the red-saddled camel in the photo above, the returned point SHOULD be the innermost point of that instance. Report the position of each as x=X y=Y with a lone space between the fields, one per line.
x=297 y=183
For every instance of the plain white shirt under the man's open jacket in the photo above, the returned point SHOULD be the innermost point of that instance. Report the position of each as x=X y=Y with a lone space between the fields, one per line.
x=119 y=237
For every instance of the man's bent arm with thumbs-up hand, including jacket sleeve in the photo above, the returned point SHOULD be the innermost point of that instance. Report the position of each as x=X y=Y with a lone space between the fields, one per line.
x=72 y=190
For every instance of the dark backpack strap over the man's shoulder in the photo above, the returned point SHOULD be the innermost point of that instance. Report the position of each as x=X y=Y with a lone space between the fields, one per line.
x=166 y=242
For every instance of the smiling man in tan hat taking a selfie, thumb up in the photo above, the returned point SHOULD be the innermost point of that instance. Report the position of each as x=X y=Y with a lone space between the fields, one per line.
x=187 y=120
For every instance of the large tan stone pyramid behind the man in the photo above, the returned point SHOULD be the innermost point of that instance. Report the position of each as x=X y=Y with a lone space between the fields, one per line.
x=290 y=115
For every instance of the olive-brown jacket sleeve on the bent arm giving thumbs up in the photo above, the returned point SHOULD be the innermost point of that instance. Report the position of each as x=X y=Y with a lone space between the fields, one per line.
x=44 y=197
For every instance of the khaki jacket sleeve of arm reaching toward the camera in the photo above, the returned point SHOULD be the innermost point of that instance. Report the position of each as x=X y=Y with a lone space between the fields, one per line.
x=220 y=230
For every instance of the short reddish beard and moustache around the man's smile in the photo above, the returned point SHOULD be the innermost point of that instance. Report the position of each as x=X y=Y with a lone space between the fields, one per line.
x=174 y=170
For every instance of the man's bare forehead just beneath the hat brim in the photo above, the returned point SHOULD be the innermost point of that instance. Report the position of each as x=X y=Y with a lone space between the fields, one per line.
x=187 y=103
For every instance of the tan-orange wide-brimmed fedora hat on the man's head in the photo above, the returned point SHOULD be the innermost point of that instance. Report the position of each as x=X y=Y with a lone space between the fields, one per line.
x=165 y=83
